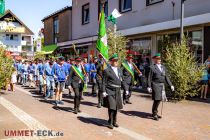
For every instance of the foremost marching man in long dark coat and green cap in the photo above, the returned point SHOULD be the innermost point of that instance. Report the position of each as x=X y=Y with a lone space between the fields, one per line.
x=112 y=81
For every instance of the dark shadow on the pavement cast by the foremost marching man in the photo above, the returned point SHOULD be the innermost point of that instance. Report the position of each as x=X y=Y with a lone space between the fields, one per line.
x=95 y=121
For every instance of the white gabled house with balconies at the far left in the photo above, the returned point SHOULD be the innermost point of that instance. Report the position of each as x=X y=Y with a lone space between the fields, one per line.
x=15 y=36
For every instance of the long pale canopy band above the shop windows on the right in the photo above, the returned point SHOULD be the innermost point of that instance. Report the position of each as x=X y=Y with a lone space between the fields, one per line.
x=188 y=21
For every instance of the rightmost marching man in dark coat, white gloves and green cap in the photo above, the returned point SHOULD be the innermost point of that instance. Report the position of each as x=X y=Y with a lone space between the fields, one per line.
x=156 y=84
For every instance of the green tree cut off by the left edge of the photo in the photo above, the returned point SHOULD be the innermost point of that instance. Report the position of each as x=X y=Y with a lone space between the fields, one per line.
x=6 y=67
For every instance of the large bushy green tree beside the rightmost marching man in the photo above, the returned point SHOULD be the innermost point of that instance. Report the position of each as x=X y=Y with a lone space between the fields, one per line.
x=183 y=69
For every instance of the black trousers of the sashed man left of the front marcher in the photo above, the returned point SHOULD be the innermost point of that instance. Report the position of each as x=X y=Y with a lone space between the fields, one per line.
x=78 y=96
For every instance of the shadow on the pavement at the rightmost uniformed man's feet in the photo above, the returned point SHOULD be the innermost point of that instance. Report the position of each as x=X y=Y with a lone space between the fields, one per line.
x=137 y=114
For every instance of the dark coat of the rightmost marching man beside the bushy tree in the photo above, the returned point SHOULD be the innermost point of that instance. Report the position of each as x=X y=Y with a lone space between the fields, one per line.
x=155 y=78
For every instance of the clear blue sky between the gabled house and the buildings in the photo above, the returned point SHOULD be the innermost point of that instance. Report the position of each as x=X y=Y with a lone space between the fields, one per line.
x=31 y=12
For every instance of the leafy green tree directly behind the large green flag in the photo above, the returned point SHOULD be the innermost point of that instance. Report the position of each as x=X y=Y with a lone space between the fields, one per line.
x=117 y=44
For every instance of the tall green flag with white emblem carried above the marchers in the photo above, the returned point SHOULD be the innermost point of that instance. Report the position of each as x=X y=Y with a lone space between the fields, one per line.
x=101 y=45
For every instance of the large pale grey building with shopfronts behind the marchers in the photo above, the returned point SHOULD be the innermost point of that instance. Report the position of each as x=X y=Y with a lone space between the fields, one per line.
x=145 y=23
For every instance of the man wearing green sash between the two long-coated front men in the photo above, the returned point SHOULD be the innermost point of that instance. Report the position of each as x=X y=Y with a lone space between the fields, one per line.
x=128 y=70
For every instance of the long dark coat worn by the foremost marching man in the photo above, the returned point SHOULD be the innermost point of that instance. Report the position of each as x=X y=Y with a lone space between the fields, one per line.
x=114 y=94
